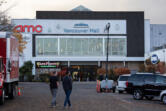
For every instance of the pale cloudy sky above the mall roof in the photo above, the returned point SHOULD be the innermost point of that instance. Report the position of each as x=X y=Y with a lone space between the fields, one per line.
x=155 y=10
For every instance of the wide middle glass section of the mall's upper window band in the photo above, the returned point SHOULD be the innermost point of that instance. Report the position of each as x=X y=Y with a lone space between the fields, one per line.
x=81 y=46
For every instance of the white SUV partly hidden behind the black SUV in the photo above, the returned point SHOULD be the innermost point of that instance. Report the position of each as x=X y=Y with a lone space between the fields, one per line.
x=121 y=83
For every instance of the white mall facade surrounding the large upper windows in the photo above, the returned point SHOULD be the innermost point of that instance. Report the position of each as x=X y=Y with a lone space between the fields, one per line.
x=118 y=29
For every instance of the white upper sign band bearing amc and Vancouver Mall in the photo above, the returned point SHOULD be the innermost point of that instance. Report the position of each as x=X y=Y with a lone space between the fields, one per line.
x=70 y=26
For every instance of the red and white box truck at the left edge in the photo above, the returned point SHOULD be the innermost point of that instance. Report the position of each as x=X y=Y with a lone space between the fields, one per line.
x=9 y=62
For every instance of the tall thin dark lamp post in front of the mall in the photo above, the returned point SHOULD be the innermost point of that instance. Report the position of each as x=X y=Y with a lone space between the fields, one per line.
x=107 y=29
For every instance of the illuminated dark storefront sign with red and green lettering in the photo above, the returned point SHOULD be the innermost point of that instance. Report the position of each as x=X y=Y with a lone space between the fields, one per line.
x=47 y=64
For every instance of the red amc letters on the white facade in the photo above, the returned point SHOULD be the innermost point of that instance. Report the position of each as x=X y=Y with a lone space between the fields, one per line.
x=23 y=28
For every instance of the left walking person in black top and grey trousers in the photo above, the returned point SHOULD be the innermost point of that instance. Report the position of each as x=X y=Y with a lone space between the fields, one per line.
x=54 y=87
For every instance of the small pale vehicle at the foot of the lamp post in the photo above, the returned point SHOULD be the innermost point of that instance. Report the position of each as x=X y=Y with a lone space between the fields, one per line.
x=107 y=85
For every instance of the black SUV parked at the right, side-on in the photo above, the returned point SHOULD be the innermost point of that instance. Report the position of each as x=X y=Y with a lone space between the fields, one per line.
x=146 y=85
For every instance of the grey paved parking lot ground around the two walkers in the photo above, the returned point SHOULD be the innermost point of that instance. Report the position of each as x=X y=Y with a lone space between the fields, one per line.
x=37 y=97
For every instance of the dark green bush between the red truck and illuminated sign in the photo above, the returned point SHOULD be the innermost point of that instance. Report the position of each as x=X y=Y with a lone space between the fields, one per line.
x=26 y=70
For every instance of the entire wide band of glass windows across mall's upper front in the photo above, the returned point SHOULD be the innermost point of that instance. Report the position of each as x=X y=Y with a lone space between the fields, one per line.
x=79 y=46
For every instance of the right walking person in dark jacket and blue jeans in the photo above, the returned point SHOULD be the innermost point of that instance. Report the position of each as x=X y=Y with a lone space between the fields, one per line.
x=67 y=86
